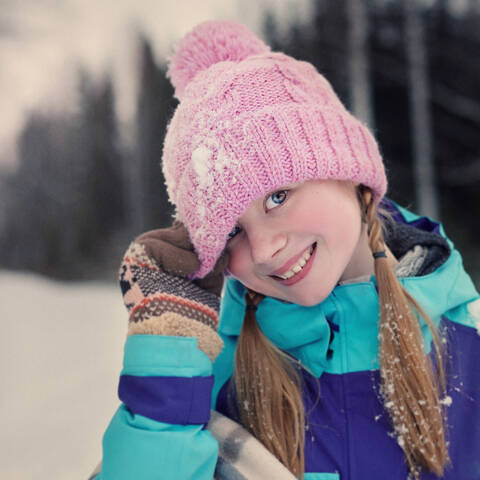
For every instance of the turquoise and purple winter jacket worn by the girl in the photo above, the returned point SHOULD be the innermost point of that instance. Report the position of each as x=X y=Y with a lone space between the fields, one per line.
x=160 y=432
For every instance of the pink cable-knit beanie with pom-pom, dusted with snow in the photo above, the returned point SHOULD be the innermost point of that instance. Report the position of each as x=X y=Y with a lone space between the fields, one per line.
x=250 y=121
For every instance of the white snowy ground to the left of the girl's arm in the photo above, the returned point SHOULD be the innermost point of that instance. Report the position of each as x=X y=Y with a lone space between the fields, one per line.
x=61 y=350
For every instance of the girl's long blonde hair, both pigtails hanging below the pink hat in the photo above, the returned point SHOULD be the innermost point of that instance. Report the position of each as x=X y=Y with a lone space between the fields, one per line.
x=268 y=385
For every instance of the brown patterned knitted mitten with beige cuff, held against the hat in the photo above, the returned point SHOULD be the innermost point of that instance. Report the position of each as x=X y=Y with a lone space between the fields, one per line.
x=160 y=298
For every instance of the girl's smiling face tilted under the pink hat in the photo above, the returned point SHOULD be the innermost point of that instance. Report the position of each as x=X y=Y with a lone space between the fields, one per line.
x=298 y=242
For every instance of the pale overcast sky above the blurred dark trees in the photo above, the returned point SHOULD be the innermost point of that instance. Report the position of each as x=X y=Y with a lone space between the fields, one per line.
x=43 y=41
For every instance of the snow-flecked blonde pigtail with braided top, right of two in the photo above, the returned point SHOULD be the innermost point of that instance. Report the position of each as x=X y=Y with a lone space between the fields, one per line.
x=410 y=391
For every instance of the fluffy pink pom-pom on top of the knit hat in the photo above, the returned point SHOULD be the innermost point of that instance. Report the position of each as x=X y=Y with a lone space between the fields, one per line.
x=209 y=43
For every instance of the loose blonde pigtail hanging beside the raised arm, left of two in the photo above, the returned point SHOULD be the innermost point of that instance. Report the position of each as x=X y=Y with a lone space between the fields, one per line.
x=268 y=392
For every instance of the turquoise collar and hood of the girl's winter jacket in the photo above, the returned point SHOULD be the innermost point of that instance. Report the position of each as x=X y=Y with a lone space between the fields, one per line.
x=340 y=334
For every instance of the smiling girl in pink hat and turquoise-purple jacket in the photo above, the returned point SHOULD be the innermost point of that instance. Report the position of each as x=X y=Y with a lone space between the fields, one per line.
x=346 y=341
